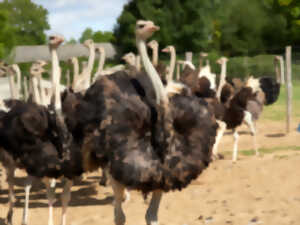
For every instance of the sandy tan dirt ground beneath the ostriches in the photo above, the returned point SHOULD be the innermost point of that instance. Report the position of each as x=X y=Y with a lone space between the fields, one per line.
x=255 y=190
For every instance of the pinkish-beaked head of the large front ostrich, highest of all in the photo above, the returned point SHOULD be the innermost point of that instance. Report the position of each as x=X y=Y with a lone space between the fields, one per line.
x=145 y=29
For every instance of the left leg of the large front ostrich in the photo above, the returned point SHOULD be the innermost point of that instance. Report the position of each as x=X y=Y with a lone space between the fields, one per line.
x=118 y=190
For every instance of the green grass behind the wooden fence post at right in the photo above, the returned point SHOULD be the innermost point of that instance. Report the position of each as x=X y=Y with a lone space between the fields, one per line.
x=277 y=111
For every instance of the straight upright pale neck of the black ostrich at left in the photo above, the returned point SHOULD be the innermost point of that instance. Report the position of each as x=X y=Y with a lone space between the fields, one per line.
x=56 y=74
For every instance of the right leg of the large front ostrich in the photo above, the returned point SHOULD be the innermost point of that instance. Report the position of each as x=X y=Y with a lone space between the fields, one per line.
x=151 y=215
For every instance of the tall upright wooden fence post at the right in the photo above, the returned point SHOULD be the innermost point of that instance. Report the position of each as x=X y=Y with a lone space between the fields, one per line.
x=289 y=91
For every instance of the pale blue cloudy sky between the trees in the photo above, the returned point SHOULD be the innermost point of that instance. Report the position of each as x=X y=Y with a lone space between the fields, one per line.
x=71 y=17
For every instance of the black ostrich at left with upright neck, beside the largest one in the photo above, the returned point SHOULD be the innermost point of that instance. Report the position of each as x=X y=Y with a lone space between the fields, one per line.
x=37 y=138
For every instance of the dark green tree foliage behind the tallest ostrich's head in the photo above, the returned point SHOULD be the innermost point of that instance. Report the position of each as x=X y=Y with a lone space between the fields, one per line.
x=232 y=27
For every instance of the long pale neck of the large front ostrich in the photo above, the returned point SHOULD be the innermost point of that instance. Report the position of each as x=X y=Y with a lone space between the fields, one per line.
x=161 y=96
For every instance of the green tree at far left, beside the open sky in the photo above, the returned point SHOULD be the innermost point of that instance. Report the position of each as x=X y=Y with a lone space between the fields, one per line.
x=28 y=19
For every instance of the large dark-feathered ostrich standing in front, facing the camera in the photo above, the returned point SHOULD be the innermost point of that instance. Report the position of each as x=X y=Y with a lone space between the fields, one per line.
x=148 y=140
